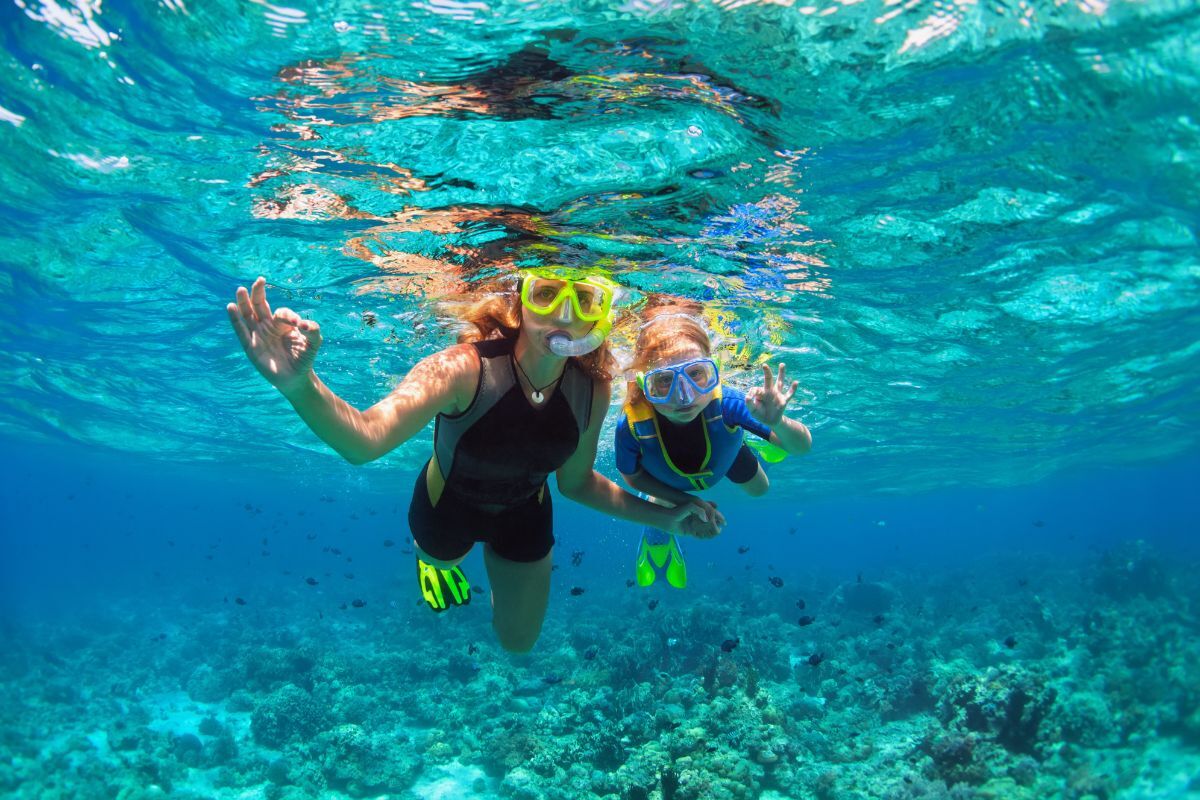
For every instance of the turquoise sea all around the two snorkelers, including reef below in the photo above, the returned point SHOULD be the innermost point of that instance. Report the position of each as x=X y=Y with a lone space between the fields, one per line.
x=969 y=230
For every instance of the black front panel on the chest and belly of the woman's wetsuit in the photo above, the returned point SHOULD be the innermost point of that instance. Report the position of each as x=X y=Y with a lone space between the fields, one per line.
x=508 y=454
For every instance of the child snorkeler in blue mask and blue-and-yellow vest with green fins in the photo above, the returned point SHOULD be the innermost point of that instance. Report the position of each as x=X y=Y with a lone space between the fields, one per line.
x=683 y=431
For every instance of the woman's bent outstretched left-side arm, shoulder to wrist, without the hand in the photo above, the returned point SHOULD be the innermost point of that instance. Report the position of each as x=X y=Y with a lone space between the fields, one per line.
x=440 y=383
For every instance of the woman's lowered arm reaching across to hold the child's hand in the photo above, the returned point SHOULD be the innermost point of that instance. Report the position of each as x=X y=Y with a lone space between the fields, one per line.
x=578 y=479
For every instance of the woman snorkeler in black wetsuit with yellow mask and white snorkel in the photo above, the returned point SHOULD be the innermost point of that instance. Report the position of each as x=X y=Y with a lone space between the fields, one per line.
x=523 y=395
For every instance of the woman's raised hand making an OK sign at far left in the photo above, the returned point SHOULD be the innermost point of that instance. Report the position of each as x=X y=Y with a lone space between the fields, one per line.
x=281 y=346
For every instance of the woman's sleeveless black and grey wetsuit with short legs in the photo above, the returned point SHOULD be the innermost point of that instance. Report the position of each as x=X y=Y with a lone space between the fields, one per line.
x=495 y=459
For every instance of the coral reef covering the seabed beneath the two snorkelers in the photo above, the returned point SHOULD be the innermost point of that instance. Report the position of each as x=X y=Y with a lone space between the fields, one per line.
x=1054 y=689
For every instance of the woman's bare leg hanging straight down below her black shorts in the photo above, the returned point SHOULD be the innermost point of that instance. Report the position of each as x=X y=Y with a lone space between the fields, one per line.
x=520 y=597
